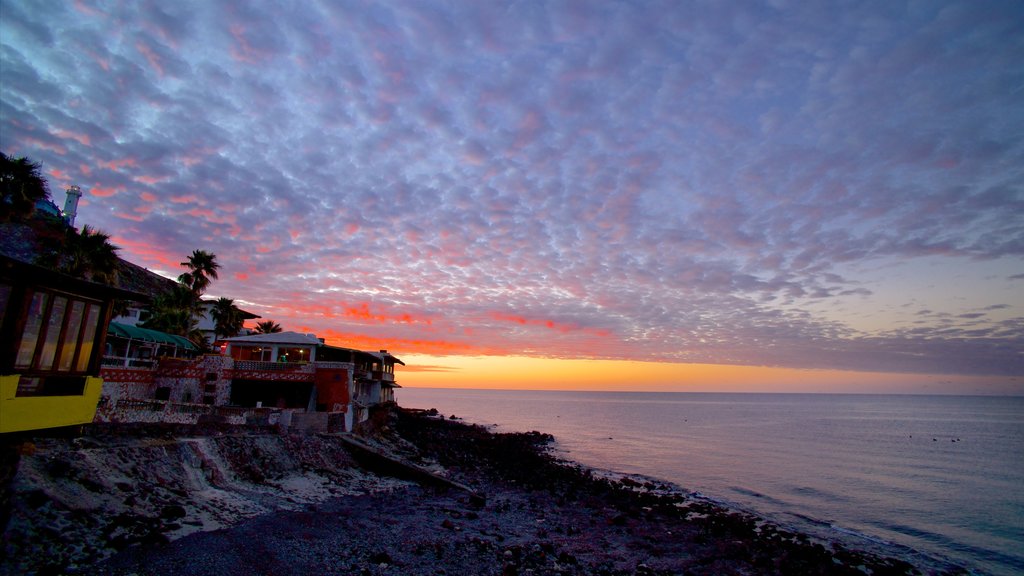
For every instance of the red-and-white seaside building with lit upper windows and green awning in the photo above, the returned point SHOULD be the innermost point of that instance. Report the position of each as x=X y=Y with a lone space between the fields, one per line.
x=286 y=379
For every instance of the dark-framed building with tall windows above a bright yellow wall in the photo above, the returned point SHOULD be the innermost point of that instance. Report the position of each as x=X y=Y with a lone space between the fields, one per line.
x=53 y=334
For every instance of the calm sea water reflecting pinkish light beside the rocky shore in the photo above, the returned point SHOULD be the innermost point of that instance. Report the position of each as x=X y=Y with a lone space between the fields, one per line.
x=934 y=479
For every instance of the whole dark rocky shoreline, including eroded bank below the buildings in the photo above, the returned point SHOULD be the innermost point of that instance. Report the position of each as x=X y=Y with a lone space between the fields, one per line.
x=215 y=502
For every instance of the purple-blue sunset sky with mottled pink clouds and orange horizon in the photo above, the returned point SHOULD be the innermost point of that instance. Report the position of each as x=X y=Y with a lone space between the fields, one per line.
x=629 y=195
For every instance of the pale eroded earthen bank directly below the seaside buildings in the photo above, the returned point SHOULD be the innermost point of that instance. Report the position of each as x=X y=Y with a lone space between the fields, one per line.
x=76 y=502
